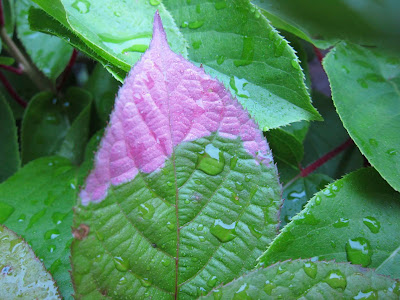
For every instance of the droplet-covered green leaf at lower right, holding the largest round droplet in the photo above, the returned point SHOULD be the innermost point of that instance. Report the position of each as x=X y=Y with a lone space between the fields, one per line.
x=354 y=219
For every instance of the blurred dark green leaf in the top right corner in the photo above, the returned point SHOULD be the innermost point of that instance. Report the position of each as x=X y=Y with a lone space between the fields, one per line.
x=326 y=22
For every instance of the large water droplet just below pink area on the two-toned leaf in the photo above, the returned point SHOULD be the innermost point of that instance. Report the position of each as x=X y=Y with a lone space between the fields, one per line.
x=212 y=162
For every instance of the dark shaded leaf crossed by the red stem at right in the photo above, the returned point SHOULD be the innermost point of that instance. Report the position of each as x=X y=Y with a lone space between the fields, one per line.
x=323 y=137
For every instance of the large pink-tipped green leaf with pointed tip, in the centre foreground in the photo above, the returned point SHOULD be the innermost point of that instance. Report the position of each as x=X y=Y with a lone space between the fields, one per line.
x=184 y=194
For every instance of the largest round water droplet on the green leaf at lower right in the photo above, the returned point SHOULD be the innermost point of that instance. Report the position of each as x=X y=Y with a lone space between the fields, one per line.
x=359 y=251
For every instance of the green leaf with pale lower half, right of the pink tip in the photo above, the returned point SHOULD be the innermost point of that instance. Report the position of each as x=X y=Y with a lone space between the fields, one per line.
x=249 y=56
